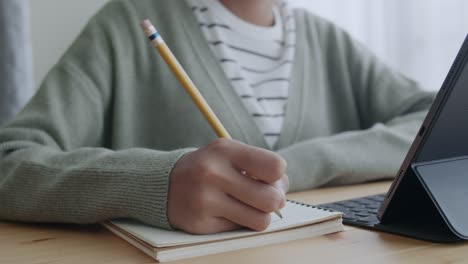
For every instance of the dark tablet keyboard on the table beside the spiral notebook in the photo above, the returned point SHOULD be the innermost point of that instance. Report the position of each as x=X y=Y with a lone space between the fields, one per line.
x=360 y=211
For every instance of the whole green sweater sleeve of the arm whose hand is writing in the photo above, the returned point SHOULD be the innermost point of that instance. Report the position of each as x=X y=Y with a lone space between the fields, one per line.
x=55 y=161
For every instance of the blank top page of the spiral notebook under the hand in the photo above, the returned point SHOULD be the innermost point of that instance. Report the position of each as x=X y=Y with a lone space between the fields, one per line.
x=295 y=215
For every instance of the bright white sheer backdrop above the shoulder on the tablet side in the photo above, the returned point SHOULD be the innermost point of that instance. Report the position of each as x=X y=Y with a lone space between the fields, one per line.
x=418 y=37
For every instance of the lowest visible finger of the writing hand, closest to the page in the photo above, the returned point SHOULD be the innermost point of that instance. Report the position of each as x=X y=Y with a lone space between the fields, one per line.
x=242 y=214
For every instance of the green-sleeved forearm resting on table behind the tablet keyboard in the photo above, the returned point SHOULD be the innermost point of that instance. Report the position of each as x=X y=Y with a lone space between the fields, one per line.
x=352 y=157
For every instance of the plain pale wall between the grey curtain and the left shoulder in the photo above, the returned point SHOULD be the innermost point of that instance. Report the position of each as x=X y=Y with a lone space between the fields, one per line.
x=55 y=24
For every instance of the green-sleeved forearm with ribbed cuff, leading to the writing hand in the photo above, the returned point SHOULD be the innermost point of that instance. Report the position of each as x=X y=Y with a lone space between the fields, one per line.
x=43 y=184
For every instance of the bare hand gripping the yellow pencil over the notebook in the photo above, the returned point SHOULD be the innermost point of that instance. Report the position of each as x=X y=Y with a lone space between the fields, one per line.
x=210 y=194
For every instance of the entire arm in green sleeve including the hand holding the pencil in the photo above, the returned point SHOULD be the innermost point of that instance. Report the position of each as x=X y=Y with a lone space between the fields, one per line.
x=57 y=162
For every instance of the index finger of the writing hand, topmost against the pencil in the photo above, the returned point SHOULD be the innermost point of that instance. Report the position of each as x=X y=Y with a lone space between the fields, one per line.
x=259 y=163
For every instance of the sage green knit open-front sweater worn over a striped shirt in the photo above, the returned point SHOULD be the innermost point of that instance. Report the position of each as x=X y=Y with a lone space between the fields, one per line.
x=99 y=139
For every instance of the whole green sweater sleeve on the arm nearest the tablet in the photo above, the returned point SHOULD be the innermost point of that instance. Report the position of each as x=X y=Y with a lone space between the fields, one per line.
x=391 y=109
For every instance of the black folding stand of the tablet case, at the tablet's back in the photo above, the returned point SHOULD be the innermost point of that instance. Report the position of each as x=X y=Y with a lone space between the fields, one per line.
x=431 y=202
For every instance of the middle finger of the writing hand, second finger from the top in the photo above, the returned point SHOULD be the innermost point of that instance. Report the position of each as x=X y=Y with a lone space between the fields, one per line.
x=264 y=197
